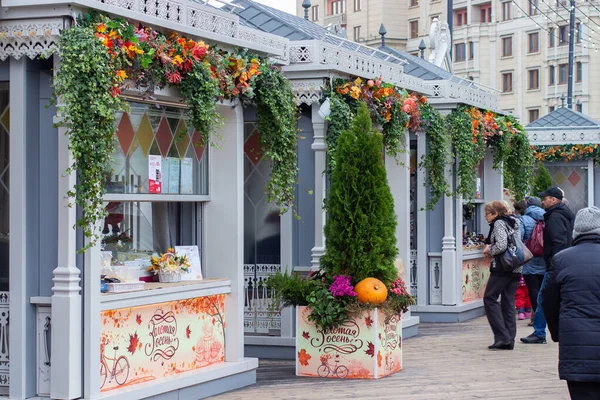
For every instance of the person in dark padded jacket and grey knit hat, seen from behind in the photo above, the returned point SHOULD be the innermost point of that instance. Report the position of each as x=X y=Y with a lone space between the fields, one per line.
x=572 y=307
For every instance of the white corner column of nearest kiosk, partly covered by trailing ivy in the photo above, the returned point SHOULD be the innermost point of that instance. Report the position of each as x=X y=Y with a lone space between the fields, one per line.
x=66 y=377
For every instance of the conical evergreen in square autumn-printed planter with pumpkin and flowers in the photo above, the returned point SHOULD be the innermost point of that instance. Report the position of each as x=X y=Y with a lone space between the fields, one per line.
x=349 y=313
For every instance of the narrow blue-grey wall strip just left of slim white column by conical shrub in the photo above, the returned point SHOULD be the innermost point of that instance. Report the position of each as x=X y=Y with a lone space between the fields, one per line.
x=304 y=229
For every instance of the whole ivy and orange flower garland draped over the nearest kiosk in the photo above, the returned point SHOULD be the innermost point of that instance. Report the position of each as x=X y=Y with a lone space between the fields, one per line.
x=101 y=56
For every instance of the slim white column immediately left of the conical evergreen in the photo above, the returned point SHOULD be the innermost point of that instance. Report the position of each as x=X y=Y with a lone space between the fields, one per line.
x=319 y=148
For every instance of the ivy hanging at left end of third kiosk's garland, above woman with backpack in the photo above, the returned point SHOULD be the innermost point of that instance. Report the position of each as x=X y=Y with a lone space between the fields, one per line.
x=469 y=151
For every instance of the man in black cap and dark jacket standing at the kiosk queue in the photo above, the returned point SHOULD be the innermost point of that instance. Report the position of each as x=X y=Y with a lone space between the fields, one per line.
x=558 y=234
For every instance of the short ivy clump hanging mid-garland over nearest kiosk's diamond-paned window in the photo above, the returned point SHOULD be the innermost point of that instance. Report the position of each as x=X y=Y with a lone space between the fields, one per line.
x=200 y=91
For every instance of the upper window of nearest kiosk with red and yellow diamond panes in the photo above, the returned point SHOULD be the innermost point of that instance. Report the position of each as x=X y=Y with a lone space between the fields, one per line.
x=150 y=130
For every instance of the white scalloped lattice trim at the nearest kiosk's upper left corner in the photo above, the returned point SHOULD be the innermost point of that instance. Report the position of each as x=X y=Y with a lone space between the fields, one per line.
x=30 y=38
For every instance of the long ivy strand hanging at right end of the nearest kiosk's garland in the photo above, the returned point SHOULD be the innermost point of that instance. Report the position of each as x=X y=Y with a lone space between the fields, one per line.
x=277 y=124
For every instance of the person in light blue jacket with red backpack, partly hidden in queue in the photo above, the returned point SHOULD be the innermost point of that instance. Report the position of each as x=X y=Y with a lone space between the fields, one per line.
x=532 y=215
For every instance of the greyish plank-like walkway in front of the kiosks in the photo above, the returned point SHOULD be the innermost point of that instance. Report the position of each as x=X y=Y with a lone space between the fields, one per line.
x=446 y=361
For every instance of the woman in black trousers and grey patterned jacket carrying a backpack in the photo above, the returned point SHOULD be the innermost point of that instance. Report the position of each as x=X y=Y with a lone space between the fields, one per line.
x=501 y=315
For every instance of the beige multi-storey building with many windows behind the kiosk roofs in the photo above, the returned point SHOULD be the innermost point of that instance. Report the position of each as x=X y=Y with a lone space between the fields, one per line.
x=519 y=48
